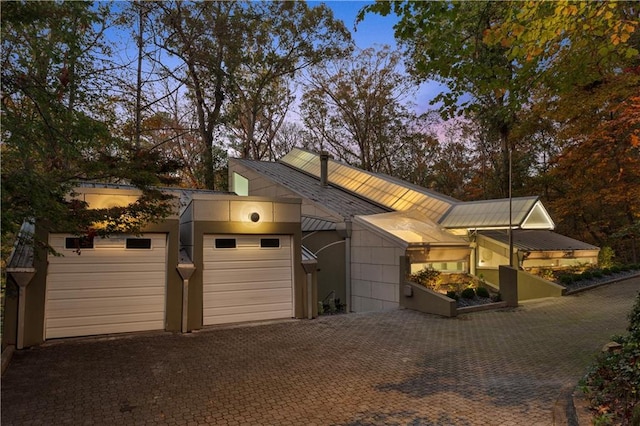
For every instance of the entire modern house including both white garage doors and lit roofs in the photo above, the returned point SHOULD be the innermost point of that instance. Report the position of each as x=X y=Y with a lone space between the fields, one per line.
x=293 y=233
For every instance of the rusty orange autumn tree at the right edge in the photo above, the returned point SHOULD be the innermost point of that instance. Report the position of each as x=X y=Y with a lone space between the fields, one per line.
x=594 y=182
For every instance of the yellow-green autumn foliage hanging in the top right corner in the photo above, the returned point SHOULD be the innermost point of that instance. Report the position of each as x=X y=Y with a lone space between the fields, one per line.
x=572 y=43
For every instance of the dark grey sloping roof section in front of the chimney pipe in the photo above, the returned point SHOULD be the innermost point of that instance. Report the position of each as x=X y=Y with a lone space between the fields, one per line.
x=341 y=202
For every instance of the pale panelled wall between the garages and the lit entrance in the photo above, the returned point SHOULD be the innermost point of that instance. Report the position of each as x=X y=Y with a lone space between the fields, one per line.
x=375 y=270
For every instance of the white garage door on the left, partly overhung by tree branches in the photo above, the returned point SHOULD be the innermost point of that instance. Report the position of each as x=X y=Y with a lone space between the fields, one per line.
x=111 y=285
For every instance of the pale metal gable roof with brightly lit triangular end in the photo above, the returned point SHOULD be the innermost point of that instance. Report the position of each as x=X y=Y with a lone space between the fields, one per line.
x=527 y=212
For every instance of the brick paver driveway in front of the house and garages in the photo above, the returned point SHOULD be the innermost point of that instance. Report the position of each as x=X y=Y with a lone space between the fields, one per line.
x=392 y=368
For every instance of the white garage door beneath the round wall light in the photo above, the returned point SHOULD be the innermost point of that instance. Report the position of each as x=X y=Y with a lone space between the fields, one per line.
x=247 y=278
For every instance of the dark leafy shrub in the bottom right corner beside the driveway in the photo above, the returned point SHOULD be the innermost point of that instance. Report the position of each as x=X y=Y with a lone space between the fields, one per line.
x=612 y=384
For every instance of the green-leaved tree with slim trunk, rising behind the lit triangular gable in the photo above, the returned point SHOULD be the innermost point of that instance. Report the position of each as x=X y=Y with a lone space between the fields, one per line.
x=444 y=42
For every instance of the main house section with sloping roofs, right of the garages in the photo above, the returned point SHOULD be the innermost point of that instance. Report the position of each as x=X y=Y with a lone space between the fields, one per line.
x=360 y=224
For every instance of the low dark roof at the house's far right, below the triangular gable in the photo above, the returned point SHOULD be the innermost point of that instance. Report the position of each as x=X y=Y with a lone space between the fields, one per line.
x=538 y=240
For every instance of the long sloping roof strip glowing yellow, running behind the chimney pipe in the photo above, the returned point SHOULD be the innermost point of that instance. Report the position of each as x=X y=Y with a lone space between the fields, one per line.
x=392 y=193
